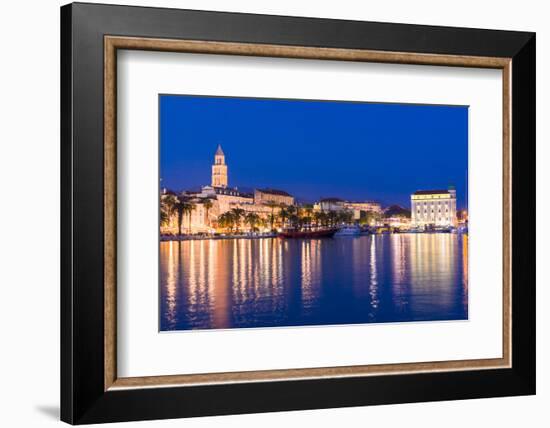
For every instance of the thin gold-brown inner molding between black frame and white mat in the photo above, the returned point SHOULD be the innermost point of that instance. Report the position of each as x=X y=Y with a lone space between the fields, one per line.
x=113 y=43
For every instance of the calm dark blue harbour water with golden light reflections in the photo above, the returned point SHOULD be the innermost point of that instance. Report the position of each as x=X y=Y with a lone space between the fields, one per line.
x=268 y=282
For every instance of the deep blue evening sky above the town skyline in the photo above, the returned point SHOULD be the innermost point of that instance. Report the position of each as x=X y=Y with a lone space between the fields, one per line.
x=314 y=149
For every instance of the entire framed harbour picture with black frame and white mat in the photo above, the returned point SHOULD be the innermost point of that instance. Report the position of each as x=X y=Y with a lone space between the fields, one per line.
x=266 y=213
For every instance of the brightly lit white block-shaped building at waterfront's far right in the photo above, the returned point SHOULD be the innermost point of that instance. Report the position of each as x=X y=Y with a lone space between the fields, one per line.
x=431 y=208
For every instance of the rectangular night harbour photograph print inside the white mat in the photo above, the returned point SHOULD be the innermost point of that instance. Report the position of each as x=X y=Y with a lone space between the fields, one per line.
x=289 y=212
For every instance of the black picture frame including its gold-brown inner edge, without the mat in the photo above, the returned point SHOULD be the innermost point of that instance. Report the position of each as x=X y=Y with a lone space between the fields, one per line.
x=90 y=37
